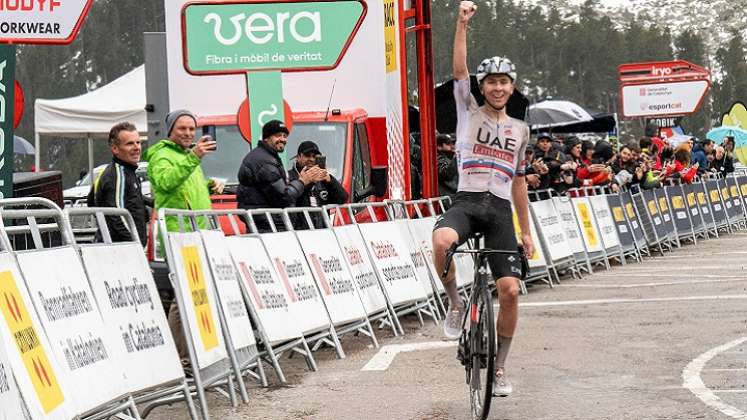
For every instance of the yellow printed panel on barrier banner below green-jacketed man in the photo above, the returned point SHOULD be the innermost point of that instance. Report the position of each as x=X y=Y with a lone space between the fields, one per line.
x=200 y=300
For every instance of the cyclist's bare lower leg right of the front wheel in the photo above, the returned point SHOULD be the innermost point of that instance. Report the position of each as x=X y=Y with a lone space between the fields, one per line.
x=508 y=316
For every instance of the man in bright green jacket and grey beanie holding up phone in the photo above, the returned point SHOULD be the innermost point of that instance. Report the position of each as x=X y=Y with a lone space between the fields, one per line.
x=177 y=182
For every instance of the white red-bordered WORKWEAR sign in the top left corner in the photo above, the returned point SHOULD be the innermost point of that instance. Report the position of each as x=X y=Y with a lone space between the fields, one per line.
x=41 y=21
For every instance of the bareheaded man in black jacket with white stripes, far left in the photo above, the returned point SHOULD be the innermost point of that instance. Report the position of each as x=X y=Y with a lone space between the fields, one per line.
x=119 y=186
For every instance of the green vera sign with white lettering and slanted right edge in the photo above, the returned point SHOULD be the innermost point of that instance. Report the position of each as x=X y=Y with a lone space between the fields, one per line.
x=231 y=37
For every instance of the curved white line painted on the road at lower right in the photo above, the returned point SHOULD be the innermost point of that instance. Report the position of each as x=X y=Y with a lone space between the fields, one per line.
x=691 y=380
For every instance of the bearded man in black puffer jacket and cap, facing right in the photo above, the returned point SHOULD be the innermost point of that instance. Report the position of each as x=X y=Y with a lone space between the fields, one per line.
x=263 y=182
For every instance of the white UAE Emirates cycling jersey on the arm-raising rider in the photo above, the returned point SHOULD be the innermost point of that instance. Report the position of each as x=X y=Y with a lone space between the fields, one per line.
x=489 y=154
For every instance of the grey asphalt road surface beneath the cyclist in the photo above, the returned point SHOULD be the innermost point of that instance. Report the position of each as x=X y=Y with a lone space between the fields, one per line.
x=664 y=339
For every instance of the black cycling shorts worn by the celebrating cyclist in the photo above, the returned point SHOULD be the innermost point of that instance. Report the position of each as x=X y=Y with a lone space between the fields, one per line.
x=482 y=212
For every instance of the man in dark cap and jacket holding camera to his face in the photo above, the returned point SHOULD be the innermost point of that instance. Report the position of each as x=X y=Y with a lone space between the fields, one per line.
x=327 y=191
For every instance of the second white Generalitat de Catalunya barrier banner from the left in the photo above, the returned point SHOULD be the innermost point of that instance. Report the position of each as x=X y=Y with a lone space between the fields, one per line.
x=290 y=263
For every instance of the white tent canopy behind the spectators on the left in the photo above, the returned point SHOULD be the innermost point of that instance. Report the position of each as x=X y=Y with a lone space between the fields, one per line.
x=93 y=114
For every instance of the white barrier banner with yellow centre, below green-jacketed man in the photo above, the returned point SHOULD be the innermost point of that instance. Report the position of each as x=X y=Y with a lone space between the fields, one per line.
x=197 y=292
